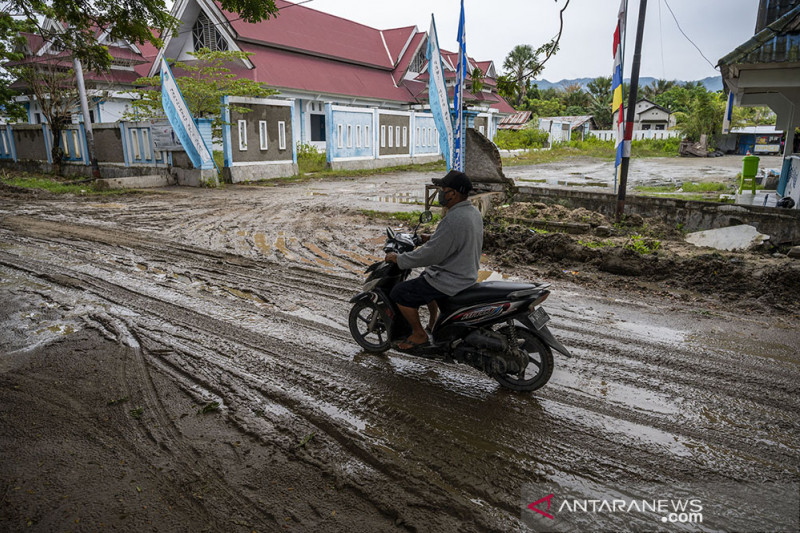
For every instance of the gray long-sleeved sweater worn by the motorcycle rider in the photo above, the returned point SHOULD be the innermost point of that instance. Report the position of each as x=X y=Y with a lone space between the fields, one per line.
x=453 y=253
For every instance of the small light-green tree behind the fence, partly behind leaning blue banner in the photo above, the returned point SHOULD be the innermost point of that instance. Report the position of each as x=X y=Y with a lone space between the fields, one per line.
x=204 y=82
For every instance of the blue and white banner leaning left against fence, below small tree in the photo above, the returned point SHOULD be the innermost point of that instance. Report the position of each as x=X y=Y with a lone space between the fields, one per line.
x=177 y=113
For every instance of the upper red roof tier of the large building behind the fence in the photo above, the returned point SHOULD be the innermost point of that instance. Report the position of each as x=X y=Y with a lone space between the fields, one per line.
x=303 y=29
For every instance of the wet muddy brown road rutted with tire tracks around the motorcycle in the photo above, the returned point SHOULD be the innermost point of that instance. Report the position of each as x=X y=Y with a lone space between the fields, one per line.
x=180 y=361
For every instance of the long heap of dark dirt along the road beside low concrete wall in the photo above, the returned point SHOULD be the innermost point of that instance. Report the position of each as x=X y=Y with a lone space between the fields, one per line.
x=734 y=275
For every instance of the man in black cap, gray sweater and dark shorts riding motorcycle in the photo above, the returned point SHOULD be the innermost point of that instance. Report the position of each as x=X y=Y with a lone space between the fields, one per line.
x=452 y=255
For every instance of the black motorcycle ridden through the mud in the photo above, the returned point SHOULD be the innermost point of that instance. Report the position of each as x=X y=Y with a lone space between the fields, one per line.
x=497 y=327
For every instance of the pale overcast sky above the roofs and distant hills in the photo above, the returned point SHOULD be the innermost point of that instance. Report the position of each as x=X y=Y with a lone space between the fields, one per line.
x=494 y=27
